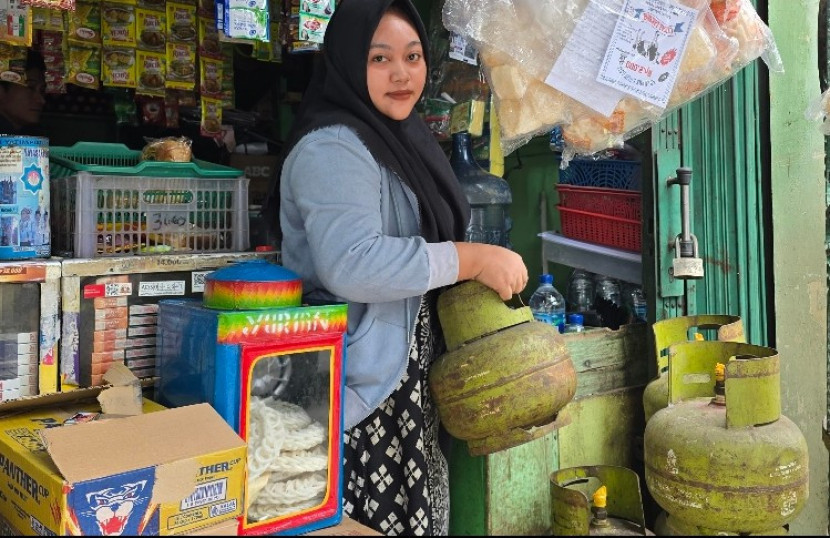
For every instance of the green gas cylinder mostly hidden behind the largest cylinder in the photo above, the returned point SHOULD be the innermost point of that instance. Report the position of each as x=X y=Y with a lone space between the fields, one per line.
x=681 y=329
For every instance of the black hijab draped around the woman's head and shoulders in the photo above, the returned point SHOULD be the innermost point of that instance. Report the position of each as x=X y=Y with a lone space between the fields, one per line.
x=338 y=94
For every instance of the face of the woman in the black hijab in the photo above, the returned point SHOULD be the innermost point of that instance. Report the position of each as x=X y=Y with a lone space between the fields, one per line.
x=396 y=71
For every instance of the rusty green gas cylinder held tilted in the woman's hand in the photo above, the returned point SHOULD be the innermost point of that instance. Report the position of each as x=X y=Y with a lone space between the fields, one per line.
x=504 y=378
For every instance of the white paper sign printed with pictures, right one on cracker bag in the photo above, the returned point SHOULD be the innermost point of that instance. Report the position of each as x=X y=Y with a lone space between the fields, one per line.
x=646 y=48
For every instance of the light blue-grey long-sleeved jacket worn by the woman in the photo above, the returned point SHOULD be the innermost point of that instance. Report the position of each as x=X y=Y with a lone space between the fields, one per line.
x=350 y=230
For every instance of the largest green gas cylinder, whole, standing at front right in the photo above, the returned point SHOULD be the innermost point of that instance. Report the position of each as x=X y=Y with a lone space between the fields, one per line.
x=721 y=457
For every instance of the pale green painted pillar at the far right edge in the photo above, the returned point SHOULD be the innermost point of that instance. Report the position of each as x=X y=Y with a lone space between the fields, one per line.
x=798 y=258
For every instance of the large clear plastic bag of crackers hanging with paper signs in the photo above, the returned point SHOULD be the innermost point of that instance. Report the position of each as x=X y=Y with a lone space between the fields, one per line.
x=604 y=70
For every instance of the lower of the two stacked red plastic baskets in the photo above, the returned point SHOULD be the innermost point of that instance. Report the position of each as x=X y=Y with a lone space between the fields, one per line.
x=614 y=232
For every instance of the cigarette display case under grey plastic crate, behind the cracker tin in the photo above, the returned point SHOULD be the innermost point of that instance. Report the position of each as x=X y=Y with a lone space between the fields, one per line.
x=110 y=309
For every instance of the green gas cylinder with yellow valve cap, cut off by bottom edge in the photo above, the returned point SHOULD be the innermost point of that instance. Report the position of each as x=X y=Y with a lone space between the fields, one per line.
x=615 y=507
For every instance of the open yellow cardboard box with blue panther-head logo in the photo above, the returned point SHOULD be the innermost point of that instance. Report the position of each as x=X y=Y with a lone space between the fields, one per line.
x=161 y=471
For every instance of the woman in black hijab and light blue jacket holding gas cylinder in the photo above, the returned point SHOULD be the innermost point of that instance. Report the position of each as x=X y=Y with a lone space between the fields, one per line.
x=372 y=215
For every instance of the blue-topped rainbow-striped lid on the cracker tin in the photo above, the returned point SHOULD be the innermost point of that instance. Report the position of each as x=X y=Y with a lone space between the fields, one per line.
x=252 y=285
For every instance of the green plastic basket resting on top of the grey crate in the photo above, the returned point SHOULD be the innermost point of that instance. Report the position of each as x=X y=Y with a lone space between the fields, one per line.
x=100 y=158
